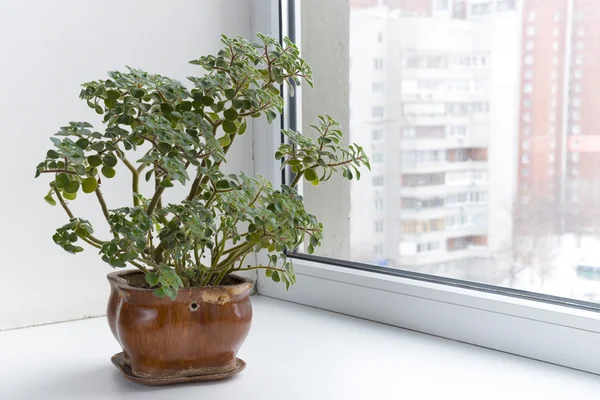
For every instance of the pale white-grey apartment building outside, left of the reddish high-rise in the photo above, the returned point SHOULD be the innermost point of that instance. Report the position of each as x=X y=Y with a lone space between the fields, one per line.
x=427 y=99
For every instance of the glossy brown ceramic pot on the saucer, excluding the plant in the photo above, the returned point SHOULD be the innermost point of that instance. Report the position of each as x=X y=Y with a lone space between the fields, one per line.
x=199 y=333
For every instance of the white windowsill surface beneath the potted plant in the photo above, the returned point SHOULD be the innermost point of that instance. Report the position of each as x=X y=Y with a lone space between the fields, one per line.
x=293 y=352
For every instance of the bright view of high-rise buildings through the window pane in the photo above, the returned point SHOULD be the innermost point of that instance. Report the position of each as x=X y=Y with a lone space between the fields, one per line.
x=481 y=120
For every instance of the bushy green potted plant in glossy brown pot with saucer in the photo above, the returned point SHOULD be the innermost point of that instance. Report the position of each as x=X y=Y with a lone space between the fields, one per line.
x=182 y=313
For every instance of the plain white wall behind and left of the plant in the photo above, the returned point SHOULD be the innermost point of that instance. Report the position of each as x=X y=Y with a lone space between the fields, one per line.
x=48 y=48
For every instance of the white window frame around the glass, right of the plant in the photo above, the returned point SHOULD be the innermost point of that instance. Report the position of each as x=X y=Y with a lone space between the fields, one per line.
x=542 y=327
